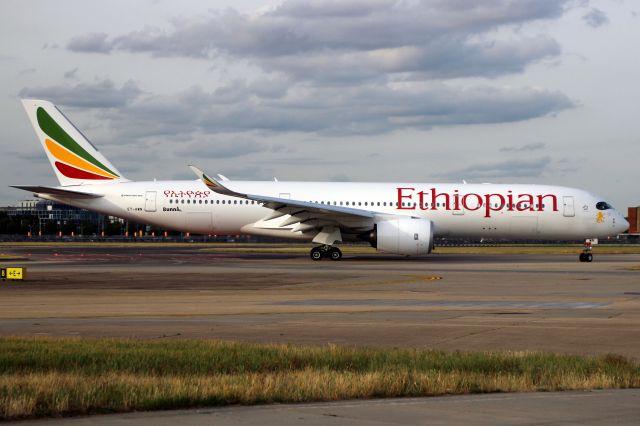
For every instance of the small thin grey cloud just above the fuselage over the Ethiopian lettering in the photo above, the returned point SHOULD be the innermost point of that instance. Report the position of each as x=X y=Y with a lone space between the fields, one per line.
x=515 y=168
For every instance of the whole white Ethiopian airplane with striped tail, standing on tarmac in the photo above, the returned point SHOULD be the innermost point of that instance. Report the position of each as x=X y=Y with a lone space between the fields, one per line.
x=398 y=218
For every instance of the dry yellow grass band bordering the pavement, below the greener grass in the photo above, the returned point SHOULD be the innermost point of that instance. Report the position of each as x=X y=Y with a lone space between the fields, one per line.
x=54 y=394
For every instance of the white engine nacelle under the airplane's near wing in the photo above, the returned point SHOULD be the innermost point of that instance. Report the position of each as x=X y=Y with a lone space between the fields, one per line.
x=403 y=235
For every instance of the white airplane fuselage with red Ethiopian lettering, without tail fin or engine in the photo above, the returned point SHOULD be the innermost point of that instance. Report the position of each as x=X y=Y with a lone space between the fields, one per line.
x=456 y=210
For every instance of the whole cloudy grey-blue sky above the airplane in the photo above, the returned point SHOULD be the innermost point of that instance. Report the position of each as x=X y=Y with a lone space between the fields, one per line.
x=522 y=91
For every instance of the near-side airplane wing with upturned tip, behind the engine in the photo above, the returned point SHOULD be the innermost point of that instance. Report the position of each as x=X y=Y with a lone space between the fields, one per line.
x=323 y=219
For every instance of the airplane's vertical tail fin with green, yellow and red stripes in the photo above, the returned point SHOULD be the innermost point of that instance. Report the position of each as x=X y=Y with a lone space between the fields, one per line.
x=73 y=158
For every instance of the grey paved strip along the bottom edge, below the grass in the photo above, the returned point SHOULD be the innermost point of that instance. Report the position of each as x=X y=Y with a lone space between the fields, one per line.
x=620 y=407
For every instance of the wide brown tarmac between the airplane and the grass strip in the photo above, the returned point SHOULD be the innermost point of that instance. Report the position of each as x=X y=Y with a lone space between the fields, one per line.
x=449 y=302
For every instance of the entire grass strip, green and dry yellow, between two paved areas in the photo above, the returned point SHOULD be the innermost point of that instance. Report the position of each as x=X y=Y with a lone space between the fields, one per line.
x=65 y=376
